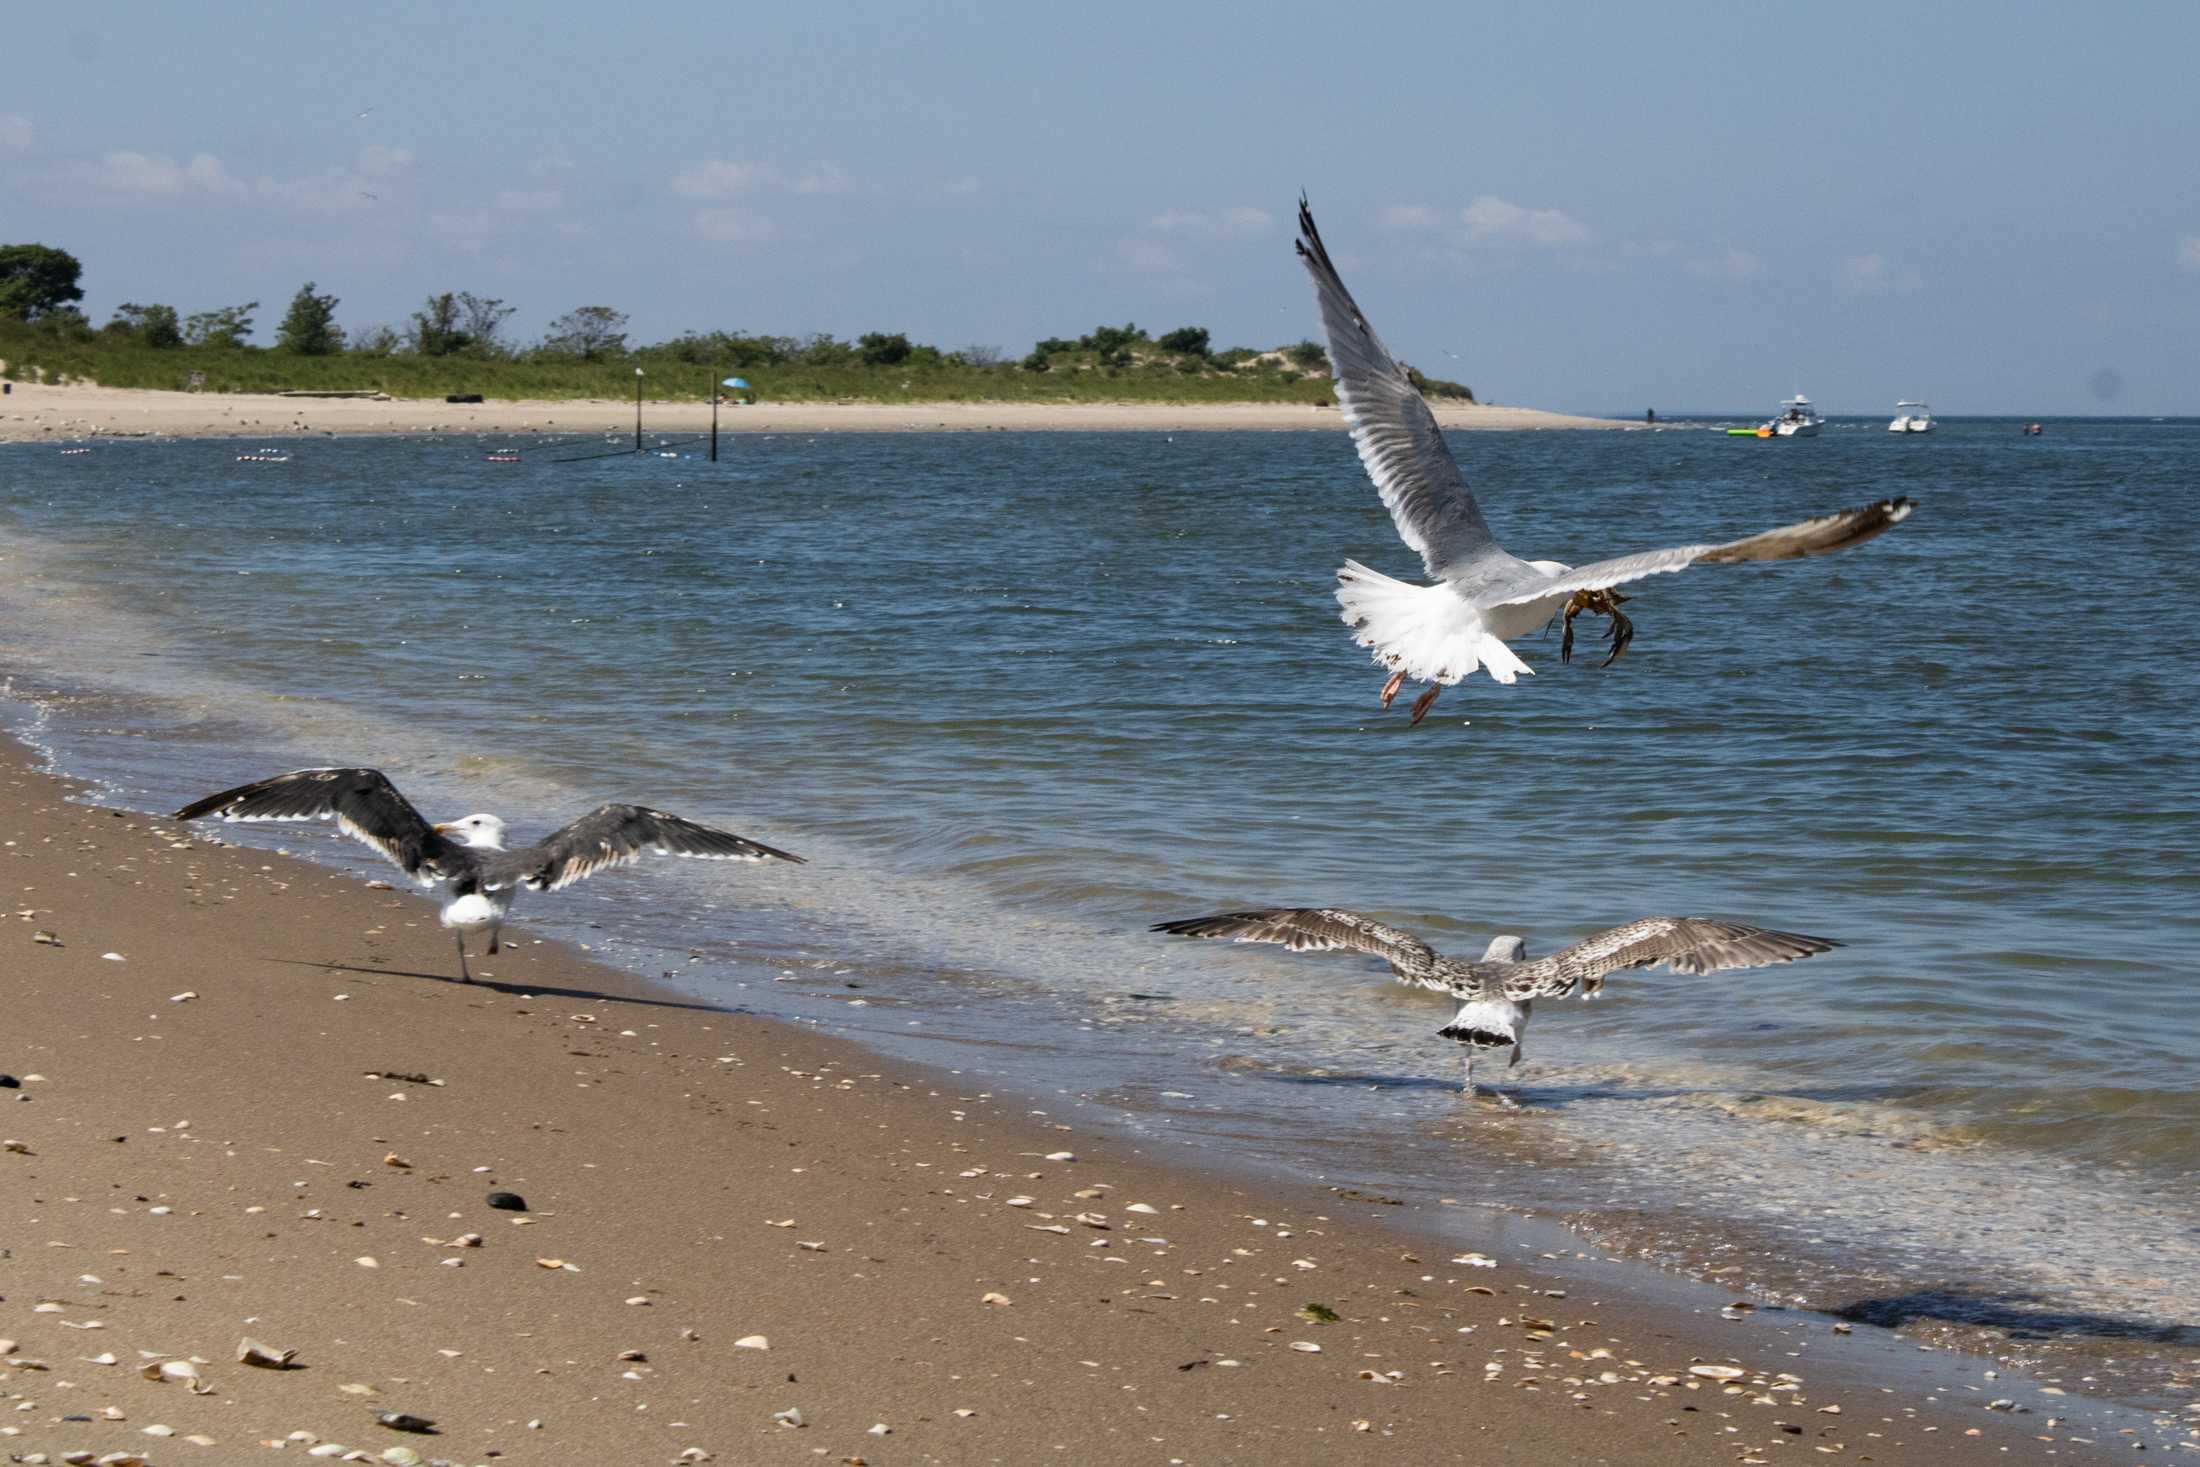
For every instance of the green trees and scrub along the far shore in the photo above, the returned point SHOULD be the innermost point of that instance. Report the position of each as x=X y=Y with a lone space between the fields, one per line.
x=459 y=342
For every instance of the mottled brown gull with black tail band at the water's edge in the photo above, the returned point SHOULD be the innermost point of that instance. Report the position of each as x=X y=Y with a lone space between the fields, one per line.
x=1497 y=991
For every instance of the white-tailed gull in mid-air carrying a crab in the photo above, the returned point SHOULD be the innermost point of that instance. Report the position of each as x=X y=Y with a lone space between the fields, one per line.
x=1484 y=597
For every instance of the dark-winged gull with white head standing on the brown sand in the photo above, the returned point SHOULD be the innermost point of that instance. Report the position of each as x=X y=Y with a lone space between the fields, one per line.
x=467 y=859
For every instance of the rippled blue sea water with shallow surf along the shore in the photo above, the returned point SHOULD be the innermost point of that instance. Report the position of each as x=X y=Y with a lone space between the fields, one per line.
x=1020 y=696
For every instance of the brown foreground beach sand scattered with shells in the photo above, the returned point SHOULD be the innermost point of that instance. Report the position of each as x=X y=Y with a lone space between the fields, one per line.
x=247 y=1103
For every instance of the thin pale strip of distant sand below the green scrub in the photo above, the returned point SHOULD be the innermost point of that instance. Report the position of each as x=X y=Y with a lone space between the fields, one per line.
x=58 y=415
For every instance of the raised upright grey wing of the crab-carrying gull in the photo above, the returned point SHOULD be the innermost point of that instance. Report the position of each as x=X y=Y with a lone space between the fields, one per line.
x=1394 y=430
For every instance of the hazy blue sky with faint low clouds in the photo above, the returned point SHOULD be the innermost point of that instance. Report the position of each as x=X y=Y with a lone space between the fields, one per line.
x=1594 y=208
